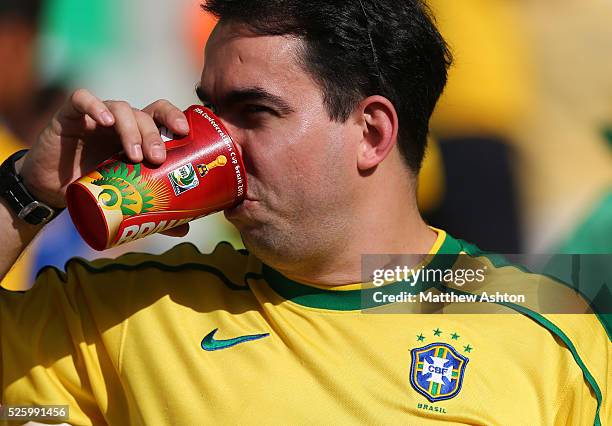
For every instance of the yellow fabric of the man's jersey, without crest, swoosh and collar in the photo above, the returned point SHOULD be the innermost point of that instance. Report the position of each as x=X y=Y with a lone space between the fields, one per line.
x=119 y=341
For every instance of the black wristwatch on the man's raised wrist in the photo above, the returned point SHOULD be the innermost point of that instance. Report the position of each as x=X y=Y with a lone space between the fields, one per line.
x=17 y=196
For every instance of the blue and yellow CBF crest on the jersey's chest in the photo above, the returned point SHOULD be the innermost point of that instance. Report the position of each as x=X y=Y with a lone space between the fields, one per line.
x=437 y=371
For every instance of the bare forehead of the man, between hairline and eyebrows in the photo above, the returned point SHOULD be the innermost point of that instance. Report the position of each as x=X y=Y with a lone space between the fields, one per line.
x=235 y=57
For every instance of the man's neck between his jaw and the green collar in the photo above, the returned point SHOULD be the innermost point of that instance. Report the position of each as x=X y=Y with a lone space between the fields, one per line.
x=384 y=220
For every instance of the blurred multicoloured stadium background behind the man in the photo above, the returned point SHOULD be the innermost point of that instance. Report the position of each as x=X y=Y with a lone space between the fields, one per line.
x=520 y=158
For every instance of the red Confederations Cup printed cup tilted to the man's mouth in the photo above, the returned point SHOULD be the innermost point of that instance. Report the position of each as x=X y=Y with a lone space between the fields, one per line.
x=121 y=202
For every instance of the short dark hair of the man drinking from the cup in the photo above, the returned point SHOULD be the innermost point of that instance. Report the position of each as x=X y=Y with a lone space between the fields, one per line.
x=359 y=48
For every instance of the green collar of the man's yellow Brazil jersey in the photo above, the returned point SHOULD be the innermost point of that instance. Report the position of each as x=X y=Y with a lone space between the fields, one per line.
x=349 y=300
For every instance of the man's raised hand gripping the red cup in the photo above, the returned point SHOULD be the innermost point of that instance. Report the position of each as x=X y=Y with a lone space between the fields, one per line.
x=87 y=131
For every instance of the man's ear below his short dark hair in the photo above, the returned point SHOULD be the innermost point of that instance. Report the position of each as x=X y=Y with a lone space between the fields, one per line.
x=378 y=118
